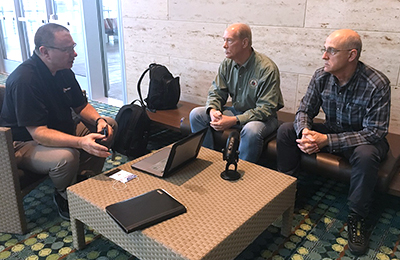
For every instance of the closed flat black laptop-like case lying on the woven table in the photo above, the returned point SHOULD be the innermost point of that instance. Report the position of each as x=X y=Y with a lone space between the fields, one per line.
x=145 y=210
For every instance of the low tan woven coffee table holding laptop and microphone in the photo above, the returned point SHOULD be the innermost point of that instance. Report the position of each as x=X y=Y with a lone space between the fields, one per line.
x=222 y=217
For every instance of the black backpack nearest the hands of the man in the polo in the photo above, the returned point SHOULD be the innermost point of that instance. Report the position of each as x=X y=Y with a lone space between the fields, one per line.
x=133 y=130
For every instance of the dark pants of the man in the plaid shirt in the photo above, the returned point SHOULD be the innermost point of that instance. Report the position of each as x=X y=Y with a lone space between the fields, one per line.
x=364 y=159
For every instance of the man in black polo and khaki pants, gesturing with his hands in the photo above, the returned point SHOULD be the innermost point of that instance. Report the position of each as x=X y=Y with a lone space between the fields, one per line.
x=41 y=94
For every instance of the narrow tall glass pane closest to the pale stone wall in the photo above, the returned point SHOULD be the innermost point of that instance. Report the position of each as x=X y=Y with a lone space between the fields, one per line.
x=110 y=15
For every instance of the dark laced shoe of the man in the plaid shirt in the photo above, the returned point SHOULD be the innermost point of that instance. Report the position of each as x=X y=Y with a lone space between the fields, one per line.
x=358 y=234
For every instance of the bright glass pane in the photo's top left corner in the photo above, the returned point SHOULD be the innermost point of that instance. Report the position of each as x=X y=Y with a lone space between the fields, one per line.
x=10 y=31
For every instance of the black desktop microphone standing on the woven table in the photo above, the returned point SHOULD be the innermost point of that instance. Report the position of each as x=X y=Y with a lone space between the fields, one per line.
x=231 y=156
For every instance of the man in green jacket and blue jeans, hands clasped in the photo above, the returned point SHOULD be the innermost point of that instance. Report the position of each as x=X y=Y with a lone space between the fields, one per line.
x=251 y=79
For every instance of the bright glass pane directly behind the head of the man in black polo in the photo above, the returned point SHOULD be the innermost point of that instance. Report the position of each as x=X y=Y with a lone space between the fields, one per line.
x=68 y=13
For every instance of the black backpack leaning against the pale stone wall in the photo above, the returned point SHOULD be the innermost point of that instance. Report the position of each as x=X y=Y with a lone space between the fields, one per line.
x=164 y=90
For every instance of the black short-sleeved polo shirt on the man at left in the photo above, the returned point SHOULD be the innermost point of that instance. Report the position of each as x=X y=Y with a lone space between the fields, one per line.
x=34 y=97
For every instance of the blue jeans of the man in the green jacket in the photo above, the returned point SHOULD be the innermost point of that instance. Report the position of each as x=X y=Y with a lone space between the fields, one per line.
x=252 y=134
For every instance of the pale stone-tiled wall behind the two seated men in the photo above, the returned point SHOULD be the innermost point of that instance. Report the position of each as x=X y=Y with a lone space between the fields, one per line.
x=186 y=36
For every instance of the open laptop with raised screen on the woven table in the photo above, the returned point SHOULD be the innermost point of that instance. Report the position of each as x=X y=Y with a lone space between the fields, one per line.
x=164 y=162
